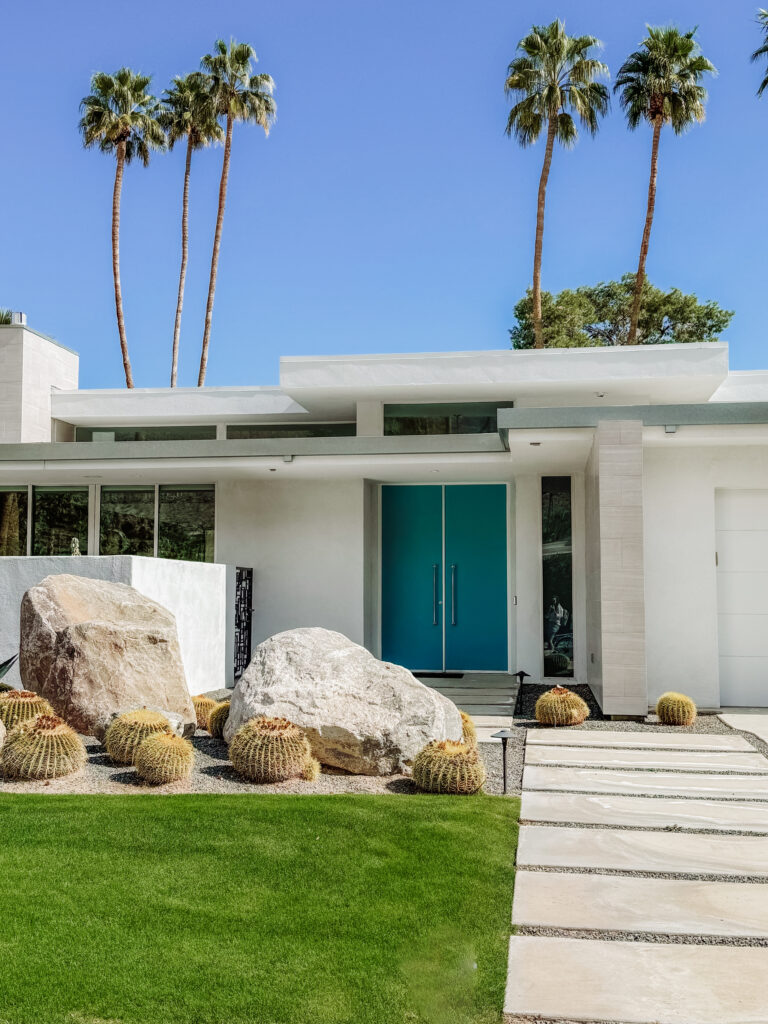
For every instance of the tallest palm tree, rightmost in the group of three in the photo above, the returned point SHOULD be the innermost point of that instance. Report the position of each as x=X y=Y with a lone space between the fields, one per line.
x=238 y=95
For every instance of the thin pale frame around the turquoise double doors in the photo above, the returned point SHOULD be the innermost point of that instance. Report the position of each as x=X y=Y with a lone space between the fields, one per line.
x=510 y=538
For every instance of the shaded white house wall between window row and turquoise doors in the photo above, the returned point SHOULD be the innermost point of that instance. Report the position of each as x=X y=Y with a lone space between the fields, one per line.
x=306 y=543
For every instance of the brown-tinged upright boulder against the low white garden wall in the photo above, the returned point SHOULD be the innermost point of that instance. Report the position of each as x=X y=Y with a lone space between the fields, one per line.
x=95 y=649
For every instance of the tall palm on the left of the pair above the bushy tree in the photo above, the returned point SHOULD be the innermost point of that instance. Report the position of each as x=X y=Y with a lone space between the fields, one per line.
x=553 y=74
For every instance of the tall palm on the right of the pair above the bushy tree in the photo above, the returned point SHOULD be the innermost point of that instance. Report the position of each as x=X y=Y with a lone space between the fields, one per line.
x=661 y=83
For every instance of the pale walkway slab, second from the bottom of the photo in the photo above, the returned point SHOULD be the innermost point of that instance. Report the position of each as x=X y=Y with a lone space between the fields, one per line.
x=613 y=903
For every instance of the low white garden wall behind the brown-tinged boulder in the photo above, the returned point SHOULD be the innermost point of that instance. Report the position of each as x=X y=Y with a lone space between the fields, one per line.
x=195 y=592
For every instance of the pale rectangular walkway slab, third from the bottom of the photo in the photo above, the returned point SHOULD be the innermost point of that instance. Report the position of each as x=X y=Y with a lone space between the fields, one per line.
x=665 y=852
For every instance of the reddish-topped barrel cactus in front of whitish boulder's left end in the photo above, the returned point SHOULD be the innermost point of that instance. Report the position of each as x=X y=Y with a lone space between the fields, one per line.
x=273 y=750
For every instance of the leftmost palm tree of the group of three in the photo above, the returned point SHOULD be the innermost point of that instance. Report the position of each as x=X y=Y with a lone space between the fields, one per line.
x=121 y=118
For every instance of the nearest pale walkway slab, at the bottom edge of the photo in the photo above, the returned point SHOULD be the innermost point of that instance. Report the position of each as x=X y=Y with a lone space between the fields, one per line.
x=635 y=983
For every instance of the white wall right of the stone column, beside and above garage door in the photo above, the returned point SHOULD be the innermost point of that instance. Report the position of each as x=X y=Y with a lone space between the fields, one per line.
x=681 y=606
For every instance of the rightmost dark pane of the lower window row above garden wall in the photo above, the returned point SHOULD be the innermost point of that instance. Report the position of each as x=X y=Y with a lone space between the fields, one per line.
x=187 y=523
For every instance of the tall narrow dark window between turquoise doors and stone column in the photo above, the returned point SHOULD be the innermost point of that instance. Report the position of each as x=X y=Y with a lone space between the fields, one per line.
x=558 y=577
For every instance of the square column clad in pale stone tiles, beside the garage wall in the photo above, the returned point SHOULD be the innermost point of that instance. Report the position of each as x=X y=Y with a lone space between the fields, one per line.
x=616 y=600
